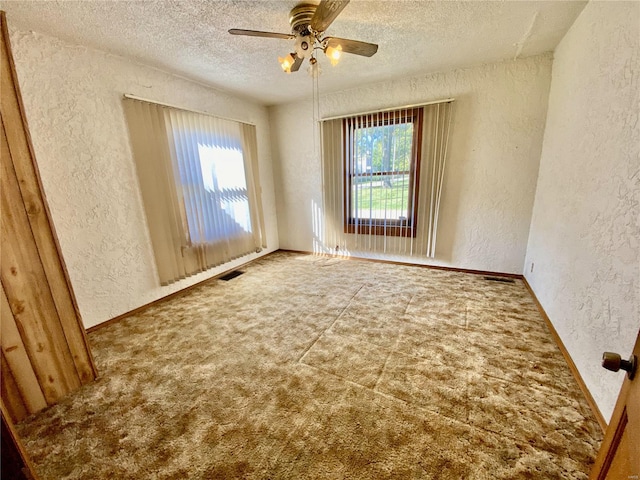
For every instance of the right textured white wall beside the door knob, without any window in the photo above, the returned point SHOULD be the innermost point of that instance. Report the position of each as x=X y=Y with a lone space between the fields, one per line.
x=585 y=230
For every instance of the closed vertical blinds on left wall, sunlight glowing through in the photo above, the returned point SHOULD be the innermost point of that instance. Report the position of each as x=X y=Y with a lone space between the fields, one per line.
x=198 y=177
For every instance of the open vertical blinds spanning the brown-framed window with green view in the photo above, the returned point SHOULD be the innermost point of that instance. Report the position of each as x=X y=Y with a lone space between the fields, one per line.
x=383 y=176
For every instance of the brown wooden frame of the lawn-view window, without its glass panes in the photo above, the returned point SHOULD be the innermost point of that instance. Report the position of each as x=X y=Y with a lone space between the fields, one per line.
x=382 y=226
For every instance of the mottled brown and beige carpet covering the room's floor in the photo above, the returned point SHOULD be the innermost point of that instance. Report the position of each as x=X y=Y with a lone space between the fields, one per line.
x=319 y=368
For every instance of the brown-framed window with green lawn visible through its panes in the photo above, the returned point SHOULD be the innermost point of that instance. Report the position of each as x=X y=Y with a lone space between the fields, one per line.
x=382 y=161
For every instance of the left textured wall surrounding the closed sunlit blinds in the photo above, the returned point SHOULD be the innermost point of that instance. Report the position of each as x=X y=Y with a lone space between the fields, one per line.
x=73 y=102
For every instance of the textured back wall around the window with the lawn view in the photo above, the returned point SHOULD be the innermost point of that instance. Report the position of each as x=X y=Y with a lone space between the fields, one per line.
x=491 y=172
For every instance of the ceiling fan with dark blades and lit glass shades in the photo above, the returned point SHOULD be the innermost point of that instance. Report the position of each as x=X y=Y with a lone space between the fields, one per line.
x=308 y=24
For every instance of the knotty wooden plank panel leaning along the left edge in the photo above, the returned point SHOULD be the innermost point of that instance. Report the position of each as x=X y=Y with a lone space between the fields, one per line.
x=44 y=350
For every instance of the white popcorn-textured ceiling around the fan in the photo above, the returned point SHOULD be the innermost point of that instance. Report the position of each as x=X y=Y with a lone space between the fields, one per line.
x=190 y=37
